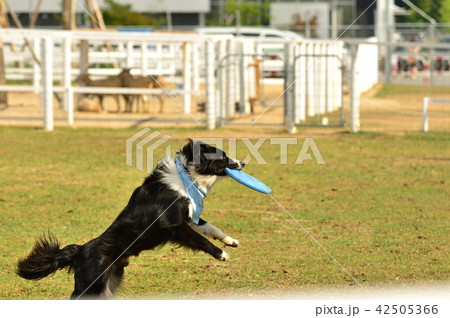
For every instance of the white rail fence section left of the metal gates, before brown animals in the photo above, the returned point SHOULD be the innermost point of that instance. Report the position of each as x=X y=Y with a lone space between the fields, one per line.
x=57 y=60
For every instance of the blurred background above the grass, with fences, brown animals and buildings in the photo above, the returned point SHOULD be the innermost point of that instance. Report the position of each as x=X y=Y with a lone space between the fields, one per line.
x=355 y=63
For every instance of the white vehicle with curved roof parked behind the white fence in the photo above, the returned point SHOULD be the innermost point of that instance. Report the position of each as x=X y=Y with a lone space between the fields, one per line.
x=272 y=53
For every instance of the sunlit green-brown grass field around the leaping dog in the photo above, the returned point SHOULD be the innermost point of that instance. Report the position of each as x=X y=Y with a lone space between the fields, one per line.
x=380 y=205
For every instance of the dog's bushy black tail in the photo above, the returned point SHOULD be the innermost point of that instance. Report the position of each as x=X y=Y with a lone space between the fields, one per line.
x=45 y=258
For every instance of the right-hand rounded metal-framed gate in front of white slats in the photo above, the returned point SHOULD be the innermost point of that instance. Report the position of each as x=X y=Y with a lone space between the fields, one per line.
x=314 y=86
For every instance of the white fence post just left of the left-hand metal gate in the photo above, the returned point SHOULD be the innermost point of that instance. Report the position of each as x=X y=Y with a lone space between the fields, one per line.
x=210 y=107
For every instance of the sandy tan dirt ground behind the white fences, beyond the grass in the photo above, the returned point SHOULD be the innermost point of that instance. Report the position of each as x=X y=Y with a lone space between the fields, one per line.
x=388 y=114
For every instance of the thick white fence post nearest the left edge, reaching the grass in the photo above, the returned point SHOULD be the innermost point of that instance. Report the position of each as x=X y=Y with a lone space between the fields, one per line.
x=47 y=81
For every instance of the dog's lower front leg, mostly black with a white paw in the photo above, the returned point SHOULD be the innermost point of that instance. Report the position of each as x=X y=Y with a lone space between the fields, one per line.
x=187 y=237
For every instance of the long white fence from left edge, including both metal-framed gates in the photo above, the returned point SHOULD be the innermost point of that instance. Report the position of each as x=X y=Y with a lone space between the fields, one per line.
x=312 y=70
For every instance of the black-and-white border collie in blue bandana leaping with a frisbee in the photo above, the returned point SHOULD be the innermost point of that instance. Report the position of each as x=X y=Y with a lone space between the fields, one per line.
x=164 y=209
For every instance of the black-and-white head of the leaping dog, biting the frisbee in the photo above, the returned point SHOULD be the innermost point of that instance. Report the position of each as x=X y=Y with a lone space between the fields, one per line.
x=206 y=160
